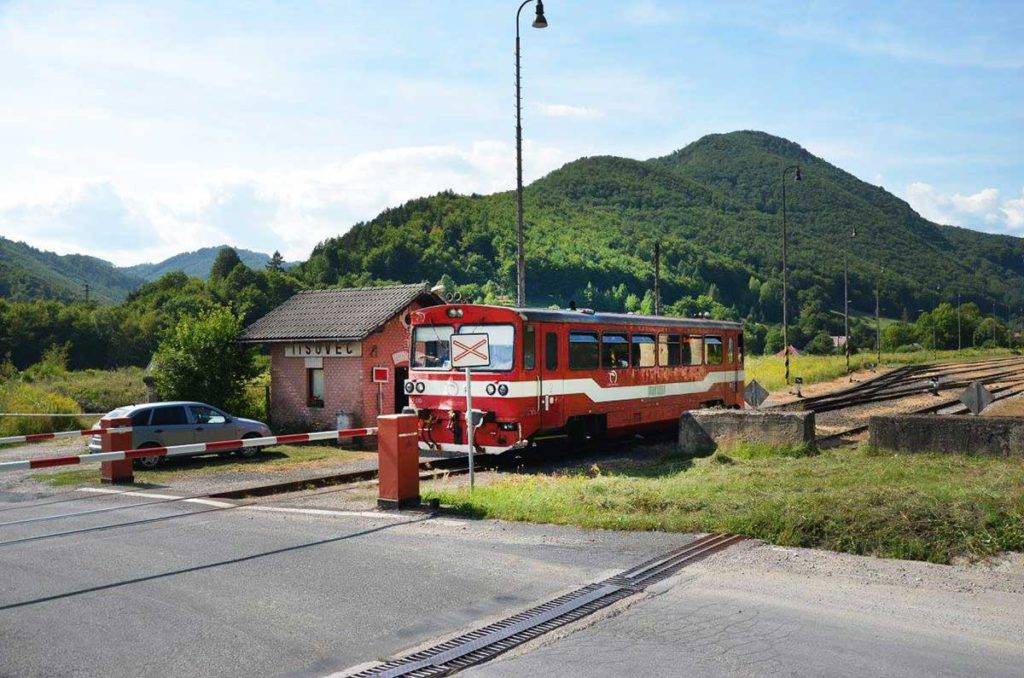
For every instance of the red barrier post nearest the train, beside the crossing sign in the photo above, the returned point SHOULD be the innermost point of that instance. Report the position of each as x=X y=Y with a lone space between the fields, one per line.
x=399 y=461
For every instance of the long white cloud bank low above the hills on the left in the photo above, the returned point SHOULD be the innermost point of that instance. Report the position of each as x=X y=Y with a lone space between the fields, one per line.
x=290 y=211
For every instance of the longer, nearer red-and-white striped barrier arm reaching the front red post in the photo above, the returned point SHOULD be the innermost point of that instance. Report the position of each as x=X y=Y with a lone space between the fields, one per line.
x=180 y=450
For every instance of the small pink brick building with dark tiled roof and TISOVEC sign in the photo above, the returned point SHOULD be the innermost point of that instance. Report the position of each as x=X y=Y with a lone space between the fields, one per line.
x=339 y=358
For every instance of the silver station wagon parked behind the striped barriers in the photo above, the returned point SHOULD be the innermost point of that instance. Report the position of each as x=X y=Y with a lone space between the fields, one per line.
x=166 y=425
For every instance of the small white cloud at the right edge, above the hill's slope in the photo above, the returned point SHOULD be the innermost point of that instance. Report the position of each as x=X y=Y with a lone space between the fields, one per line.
x=983 y=209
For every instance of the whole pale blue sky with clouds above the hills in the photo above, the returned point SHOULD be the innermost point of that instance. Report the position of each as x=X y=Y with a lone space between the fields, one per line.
x=134 y=132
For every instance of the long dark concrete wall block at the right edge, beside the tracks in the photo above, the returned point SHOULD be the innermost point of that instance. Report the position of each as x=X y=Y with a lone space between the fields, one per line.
x=1002 y=437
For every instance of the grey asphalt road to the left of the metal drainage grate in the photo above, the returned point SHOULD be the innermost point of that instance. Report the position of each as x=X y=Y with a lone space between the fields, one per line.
x=247 y=591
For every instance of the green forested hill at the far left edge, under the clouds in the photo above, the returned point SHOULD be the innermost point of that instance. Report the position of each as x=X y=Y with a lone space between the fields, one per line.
x=28 y=274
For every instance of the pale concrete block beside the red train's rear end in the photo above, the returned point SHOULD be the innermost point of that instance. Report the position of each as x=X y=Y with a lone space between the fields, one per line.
x=703 y=432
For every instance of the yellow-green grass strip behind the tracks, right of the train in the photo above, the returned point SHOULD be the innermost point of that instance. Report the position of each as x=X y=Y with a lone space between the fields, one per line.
x=771 y=371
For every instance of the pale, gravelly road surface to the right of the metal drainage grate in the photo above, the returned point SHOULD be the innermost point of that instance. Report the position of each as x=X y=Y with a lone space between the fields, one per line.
x=762 y=611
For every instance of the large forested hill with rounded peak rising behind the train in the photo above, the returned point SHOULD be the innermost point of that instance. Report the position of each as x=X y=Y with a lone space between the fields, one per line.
x=715 y=206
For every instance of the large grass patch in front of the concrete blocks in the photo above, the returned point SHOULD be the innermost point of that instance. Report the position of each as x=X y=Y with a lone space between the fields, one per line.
x=921 y=507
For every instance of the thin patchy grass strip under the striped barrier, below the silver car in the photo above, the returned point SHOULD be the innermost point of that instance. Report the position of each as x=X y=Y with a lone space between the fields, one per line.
x=276 y=460
